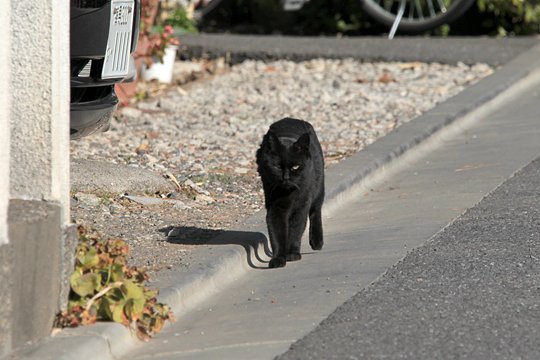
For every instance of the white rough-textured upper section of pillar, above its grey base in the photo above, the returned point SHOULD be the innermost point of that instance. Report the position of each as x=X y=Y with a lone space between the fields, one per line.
x=40 y=101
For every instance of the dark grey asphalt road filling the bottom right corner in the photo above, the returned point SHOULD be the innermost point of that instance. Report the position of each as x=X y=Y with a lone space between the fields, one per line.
x=473 y=291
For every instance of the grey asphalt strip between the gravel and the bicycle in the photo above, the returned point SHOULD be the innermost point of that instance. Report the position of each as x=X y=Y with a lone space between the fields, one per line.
x=469 y=50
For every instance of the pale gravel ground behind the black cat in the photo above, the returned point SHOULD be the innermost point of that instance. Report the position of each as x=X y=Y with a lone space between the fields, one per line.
x=203 y=137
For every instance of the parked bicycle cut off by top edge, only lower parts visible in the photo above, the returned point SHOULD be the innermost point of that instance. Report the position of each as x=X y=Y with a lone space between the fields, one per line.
x=408 y=16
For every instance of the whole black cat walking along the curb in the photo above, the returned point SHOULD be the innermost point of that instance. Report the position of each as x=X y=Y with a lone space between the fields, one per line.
x=291 y=165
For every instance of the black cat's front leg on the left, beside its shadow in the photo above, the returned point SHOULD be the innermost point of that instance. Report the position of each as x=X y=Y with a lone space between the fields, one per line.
x=278 y=231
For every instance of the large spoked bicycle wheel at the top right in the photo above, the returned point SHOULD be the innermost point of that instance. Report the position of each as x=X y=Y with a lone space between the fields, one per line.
x=416 y=15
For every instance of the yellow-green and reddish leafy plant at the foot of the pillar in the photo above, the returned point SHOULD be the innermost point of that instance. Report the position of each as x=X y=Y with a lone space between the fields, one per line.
x=104 y=287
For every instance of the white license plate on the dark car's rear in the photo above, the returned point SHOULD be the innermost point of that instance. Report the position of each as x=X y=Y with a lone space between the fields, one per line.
x=116 y=62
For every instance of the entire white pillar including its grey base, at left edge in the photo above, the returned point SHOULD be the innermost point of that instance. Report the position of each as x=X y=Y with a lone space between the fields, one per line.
x=36 y=241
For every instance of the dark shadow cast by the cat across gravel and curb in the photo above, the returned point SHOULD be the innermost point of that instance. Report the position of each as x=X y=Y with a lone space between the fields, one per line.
x=254 y=243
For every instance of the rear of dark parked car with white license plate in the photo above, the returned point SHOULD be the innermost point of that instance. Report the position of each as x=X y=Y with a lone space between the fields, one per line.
x=103 y=38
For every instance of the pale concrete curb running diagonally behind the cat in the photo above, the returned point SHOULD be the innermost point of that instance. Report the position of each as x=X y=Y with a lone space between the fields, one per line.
x=229 y=262
